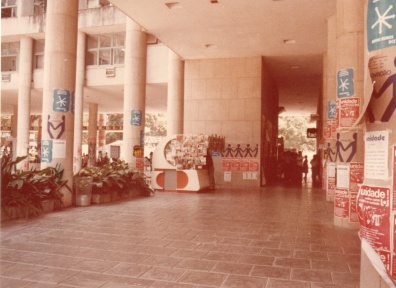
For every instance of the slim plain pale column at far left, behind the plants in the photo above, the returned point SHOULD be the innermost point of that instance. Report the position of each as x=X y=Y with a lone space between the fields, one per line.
x=24 y=86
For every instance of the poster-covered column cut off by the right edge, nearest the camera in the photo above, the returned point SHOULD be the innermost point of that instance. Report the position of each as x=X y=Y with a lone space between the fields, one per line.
x=376 y=203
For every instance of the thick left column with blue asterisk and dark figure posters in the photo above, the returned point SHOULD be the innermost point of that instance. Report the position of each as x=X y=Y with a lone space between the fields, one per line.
x=58 y=89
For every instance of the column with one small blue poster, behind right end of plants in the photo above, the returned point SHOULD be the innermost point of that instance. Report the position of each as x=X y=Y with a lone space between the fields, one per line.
x=134 y=90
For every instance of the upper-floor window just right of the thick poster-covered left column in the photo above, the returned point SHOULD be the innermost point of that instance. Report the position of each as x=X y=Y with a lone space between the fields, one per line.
x=105 y=49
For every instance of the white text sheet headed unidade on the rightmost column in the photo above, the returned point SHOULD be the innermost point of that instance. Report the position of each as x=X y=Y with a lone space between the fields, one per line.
x=376 y=155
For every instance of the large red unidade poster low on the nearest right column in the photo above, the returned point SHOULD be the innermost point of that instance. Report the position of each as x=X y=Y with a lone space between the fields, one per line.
x=374 y=211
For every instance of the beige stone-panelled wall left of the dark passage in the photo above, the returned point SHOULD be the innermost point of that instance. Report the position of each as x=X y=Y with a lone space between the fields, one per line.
x=223 y=97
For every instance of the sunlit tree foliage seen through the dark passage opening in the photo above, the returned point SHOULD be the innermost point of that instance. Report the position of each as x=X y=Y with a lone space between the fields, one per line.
x=293 y=129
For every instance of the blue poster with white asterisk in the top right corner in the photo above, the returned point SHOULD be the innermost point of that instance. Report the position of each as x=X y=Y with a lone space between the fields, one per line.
x=381 y=24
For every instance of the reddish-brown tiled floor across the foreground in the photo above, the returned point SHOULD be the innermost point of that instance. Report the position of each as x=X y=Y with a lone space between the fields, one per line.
x=267 y=237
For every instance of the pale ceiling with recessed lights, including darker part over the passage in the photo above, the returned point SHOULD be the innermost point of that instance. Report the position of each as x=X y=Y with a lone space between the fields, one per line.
x=197 y=29
